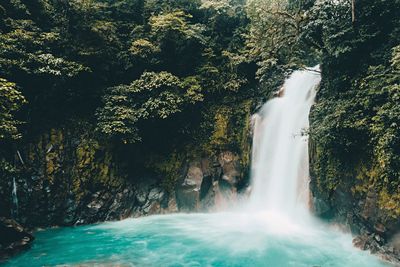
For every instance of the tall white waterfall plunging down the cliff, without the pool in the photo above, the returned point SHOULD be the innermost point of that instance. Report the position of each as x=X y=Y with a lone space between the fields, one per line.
x=280 y=174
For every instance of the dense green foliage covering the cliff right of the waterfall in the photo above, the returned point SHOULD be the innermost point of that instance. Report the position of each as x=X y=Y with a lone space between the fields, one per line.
x=355 y=123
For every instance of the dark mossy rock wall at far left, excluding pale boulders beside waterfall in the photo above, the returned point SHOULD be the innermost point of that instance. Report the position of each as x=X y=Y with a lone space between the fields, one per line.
x=68 y=178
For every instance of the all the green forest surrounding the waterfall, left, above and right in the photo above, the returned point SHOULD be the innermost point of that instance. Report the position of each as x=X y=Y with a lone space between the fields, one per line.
x=188 y=71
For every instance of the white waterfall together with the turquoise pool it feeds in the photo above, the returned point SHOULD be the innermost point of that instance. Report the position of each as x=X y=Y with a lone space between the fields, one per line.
x=272 y=228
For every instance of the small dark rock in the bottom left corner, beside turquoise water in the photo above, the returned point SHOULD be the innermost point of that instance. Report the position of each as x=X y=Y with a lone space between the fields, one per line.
x=13 y=238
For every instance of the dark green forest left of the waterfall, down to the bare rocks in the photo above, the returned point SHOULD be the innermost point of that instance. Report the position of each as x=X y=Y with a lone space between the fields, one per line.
x=156 y=82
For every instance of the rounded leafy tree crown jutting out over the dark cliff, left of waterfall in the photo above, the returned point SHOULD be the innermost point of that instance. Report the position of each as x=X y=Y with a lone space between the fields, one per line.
x=152 y=96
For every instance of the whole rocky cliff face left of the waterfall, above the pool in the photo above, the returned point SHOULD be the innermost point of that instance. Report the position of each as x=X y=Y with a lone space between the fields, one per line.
x=69 y=178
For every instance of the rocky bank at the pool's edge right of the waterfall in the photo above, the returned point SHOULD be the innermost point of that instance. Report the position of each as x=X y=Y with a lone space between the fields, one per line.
x=359 y=212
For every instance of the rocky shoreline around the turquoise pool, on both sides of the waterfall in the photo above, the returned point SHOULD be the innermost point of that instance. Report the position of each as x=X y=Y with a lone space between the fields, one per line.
x=75 y=181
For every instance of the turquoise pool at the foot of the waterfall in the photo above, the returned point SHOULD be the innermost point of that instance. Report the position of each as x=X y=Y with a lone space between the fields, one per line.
x=219 y=239
